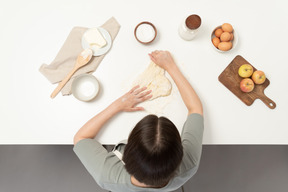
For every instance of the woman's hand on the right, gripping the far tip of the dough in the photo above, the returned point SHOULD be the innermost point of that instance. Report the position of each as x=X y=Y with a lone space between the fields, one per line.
x=163 y=59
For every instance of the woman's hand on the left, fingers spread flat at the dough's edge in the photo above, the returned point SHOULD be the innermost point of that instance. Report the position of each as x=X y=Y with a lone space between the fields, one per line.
x=129 y=101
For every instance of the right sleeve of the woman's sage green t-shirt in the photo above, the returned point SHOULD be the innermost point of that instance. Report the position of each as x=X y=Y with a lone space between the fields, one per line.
x=192 y=135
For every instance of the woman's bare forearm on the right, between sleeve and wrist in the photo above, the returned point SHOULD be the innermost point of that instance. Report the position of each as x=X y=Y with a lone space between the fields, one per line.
x=188 y=94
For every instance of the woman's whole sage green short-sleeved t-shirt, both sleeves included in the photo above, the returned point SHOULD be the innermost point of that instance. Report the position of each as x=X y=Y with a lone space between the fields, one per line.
x=109 y=171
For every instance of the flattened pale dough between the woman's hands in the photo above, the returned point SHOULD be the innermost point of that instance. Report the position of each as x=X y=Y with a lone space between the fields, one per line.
x=154 y=79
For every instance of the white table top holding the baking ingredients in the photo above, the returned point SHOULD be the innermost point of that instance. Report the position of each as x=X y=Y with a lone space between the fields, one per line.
x=32 y=32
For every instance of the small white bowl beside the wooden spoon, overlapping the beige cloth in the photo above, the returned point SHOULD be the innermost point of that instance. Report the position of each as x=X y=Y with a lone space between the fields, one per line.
x=85 y=87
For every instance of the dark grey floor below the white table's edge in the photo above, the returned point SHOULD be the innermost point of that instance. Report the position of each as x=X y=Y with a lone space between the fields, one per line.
x=224 y=168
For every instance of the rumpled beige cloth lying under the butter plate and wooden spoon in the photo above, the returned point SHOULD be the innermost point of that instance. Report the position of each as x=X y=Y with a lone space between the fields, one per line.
x=66 y=57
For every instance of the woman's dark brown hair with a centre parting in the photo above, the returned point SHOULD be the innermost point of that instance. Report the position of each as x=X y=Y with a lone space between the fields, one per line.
x=154 y=151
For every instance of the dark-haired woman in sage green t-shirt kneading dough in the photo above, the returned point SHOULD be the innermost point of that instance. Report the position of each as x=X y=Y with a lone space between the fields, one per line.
x=155 y=158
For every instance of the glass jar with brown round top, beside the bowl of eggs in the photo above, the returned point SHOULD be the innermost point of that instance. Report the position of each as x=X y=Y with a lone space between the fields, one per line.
x=189 y=27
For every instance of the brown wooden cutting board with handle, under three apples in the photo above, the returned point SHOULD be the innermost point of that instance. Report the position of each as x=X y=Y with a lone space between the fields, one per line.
x=230 y=79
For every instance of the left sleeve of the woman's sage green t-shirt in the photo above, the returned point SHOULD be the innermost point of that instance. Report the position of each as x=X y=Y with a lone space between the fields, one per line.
x=92 y=155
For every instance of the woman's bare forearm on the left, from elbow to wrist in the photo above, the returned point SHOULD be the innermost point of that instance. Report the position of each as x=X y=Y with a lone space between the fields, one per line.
x=94 y=125
